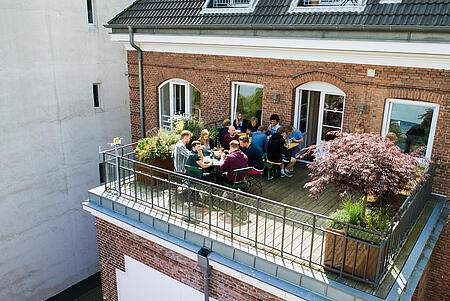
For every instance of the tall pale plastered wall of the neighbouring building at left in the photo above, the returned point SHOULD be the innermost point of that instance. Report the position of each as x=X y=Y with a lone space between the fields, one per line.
x=50 y=133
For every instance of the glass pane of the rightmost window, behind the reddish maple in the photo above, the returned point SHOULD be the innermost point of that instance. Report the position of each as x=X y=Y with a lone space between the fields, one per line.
x=411 y=124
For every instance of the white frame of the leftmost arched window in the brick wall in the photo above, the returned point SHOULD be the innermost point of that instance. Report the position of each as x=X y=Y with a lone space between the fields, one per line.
x=187 y=100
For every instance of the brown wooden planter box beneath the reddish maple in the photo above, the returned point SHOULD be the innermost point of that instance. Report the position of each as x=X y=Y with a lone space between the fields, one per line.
x=366 y=255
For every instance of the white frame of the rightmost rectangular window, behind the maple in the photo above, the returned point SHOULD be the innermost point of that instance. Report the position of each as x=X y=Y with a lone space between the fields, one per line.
x=388 y=112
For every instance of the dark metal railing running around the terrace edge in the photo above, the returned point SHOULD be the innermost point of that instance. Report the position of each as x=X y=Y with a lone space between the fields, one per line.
x=263 y=223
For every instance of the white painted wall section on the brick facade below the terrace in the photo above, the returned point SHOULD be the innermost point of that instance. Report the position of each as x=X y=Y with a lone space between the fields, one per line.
x=141 y=282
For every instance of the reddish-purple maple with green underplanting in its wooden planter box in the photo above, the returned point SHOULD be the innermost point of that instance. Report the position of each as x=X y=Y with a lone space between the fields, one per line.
x=359 y=165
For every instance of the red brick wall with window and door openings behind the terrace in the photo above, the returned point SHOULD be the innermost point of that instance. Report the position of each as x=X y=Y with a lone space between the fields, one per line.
x=213 y=76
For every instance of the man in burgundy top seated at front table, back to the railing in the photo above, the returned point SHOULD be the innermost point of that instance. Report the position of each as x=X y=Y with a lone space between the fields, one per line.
x=236 y=159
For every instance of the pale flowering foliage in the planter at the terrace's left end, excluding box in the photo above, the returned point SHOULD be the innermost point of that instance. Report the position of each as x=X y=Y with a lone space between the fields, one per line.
x=159 y=146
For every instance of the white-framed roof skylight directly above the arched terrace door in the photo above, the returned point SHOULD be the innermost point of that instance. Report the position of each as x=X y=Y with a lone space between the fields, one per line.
x=327 y=5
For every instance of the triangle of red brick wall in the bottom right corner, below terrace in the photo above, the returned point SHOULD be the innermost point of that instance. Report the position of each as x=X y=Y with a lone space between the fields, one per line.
x=435 y=281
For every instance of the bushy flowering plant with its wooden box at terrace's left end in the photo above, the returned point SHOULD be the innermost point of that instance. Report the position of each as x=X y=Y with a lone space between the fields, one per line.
x=156 y=151
